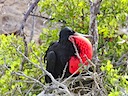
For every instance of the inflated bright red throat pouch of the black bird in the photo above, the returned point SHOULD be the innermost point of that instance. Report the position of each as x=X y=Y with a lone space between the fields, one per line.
x=84 y=47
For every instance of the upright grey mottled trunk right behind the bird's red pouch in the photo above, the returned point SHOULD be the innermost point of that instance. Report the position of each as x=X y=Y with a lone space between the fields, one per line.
x=94 y=11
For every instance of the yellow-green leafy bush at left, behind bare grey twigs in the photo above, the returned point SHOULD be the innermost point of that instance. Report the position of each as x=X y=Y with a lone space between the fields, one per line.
x=10 y=61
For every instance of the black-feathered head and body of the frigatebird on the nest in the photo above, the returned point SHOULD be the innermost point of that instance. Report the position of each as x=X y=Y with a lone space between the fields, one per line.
x=59 y=53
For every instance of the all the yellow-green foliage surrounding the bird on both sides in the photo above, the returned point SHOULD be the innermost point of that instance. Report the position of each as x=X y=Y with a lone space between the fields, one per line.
x=113 y=44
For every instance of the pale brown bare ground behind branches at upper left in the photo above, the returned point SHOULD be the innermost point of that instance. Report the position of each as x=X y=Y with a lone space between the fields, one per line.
x=11 y=15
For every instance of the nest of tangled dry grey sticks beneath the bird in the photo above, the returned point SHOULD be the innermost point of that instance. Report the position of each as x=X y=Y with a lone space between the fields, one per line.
x=89 y=84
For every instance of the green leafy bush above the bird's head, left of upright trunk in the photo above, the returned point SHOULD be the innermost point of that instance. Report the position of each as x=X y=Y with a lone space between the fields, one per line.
x=73 y=13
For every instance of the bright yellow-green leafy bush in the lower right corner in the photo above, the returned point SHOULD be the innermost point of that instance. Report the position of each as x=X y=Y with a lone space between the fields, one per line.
x=115 y=82
